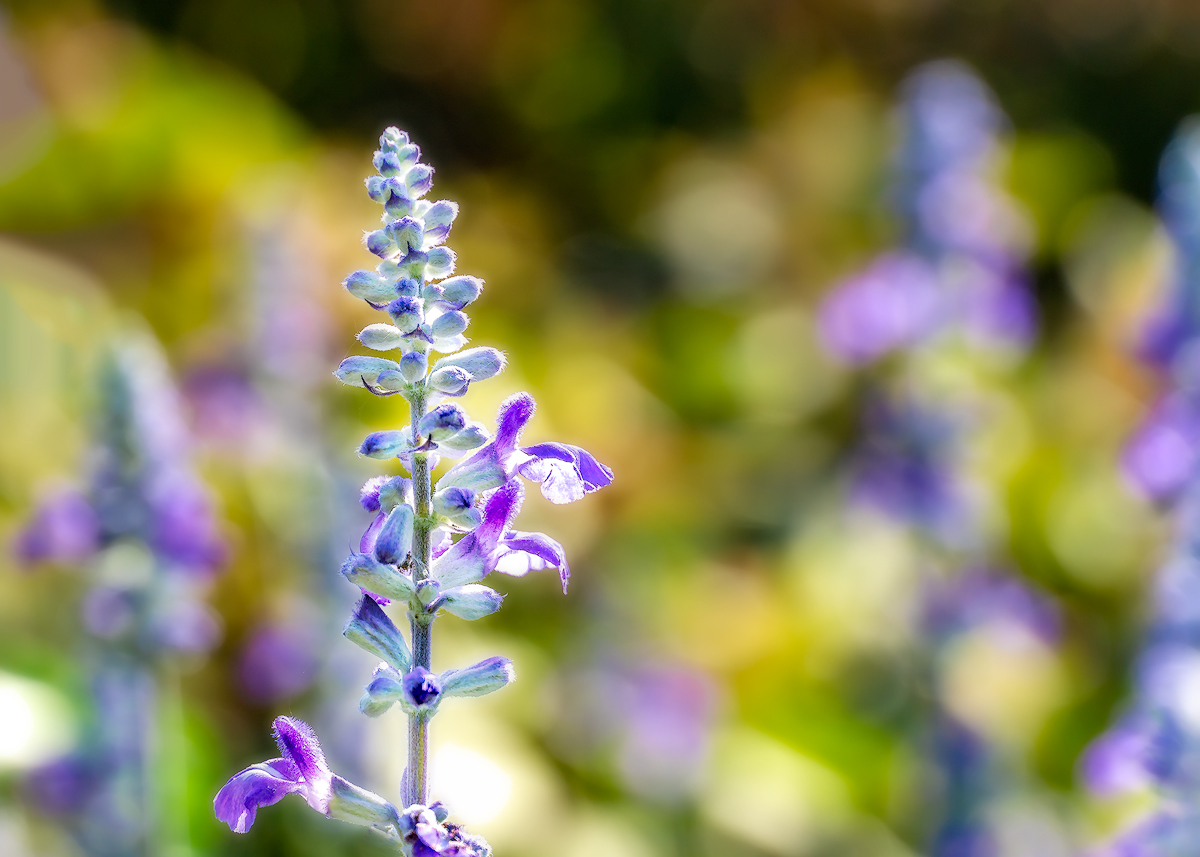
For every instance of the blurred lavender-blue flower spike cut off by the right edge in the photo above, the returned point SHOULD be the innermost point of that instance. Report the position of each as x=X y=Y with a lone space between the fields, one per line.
x=1156 y=741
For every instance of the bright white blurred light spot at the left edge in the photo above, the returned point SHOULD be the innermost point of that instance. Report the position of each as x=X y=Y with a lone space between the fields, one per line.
x=35 y=723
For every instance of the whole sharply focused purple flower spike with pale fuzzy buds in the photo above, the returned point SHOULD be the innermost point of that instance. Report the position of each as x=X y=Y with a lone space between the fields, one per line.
x=429 y=547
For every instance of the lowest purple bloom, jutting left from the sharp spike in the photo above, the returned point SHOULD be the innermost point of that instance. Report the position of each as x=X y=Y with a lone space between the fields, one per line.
x=301 y=770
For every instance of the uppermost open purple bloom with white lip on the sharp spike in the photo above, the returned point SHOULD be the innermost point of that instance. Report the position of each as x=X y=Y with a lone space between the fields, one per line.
x=567 y=474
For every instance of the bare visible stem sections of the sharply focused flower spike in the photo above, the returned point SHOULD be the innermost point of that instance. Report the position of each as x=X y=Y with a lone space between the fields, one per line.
x=417 y=781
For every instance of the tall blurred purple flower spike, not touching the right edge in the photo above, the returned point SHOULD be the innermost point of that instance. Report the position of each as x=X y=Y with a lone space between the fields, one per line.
x=956 y=290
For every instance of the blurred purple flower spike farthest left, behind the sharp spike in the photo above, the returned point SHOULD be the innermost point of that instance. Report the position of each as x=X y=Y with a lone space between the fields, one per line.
x=147 y=532
